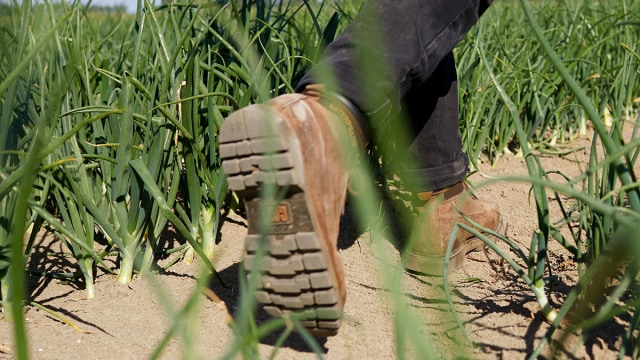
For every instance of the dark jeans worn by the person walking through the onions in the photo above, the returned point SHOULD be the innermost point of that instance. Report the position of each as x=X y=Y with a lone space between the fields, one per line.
x=407 y=69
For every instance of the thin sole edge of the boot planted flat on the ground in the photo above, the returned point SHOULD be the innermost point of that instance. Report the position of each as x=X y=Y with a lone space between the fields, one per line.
x=433 y=265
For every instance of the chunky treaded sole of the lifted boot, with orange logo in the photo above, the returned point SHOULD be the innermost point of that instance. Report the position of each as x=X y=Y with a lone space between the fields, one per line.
x=260 y=152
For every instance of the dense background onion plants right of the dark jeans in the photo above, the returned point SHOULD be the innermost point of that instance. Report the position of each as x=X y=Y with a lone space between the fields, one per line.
x=595 y=37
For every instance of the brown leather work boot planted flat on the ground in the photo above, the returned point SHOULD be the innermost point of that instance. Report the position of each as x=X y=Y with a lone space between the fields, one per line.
x=438 y=212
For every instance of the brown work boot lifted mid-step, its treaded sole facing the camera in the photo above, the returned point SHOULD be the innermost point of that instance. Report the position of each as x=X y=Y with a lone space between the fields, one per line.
x=284 y=159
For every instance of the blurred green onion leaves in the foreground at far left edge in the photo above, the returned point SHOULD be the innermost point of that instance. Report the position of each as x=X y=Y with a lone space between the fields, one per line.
x=22 y=149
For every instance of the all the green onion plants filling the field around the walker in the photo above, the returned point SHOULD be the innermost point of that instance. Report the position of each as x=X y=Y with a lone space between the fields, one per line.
x=110 y=134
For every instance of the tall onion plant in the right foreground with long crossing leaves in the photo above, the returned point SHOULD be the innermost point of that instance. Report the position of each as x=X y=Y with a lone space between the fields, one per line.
x=607 y=200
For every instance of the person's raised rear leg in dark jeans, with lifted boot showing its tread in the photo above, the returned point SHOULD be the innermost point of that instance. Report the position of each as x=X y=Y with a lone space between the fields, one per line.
x=289 y=145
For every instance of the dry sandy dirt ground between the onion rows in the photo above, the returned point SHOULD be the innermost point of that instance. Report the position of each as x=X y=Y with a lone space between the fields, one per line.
x=498 y=310
